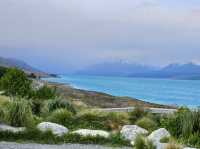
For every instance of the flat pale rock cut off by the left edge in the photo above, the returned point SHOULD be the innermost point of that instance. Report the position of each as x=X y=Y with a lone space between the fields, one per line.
x=4 y=127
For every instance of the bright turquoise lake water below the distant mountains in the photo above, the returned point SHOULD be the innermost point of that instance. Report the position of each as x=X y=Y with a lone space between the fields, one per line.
x=162 y=91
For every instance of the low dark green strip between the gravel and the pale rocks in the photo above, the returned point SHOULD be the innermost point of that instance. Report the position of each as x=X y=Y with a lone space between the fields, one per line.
x=48 y=138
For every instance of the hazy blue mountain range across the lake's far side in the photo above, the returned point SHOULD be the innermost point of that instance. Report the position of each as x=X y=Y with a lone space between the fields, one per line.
x=172 y=71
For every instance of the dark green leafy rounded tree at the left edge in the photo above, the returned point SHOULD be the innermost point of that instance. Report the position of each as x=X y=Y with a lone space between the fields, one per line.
x=16 y=83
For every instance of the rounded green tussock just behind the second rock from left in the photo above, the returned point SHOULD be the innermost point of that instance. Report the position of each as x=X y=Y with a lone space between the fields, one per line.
x=61 y=116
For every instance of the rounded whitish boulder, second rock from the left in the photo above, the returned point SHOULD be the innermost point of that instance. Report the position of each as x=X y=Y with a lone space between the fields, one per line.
x=56 y=129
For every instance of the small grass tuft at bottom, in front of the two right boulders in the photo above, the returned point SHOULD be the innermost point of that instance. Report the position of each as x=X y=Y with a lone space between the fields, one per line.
x=143 y=143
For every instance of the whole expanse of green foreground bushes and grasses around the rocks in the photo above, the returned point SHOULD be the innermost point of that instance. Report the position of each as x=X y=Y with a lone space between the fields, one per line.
x=26 y=105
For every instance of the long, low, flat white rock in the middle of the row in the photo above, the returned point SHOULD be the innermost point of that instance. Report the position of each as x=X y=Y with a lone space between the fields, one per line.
x=94 y=133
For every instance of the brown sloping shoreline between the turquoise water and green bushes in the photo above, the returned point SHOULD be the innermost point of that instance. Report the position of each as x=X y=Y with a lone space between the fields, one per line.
x=100 y=99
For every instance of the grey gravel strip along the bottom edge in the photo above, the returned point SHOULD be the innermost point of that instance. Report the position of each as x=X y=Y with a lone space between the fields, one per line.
x=9 y=145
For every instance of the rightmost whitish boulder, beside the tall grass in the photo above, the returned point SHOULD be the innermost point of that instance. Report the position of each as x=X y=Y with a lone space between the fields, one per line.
x=157 y=135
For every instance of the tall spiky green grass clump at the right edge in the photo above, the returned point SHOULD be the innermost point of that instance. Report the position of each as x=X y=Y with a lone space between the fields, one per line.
x=185 y=125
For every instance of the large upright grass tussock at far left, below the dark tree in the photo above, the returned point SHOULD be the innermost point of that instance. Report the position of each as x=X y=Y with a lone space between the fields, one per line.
x=18 y=113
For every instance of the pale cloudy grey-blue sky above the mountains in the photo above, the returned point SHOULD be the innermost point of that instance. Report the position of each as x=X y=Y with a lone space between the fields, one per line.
x=67 y=35
